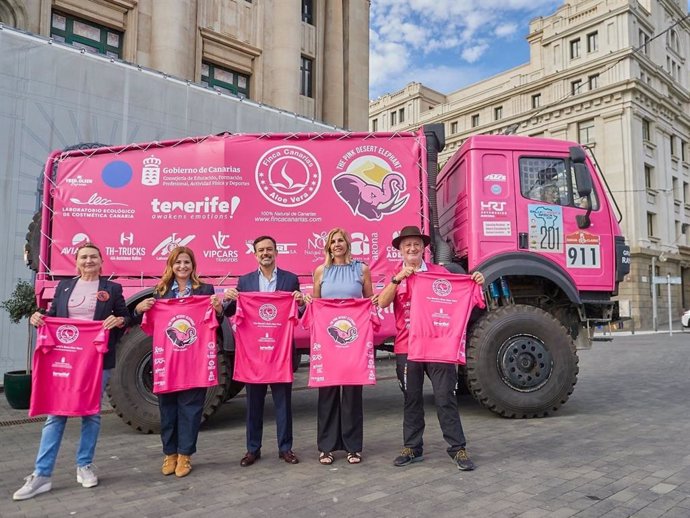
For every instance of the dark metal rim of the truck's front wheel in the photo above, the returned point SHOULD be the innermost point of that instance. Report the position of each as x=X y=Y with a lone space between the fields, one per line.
x=524 y=362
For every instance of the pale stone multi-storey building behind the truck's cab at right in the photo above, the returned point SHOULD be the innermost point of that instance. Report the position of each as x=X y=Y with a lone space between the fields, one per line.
x=611 y=74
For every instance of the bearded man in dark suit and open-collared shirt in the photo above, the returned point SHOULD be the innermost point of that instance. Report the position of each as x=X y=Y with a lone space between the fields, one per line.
x=267 y=278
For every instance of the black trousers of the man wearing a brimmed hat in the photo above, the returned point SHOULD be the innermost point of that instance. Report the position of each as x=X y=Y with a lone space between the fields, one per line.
x=444 y=379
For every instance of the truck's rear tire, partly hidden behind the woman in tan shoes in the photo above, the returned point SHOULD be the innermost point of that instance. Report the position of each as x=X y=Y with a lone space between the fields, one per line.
x=131 y=386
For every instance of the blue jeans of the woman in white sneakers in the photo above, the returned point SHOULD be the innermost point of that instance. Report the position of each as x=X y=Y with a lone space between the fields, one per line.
x=51 y=437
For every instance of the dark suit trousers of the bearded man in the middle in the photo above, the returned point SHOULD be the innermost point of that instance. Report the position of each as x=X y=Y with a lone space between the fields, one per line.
x=282 y=400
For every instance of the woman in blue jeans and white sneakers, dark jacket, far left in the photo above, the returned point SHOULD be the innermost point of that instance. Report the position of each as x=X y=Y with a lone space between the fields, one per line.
x=90 y=297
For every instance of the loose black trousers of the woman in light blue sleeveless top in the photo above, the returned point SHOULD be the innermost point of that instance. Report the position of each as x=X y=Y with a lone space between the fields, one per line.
x=340 y=419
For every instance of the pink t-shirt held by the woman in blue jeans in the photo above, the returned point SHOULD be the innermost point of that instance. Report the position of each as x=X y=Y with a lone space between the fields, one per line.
x=68 y=367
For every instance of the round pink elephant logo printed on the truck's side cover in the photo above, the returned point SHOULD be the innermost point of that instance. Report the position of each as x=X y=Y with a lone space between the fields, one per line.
x=371 y=189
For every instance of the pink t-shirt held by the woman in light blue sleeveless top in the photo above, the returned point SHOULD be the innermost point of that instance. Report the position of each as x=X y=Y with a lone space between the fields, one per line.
x=342 y=341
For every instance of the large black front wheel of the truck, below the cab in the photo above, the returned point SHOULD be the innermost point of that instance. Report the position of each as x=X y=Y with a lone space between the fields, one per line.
x=521 y=362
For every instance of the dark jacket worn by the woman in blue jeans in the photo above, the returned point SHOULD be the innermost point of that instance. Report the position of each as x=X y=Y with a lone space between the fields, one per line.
x=115 y=305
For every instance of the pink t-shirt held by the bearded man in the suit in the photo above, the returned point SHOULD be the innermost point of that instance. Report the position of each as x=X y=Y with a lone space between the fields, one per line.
x=264 y=325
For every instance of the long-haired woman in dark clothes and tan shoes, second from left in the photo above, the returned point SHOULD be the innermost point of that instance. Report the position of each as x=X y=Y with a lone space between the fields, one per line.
x=180 y=411
